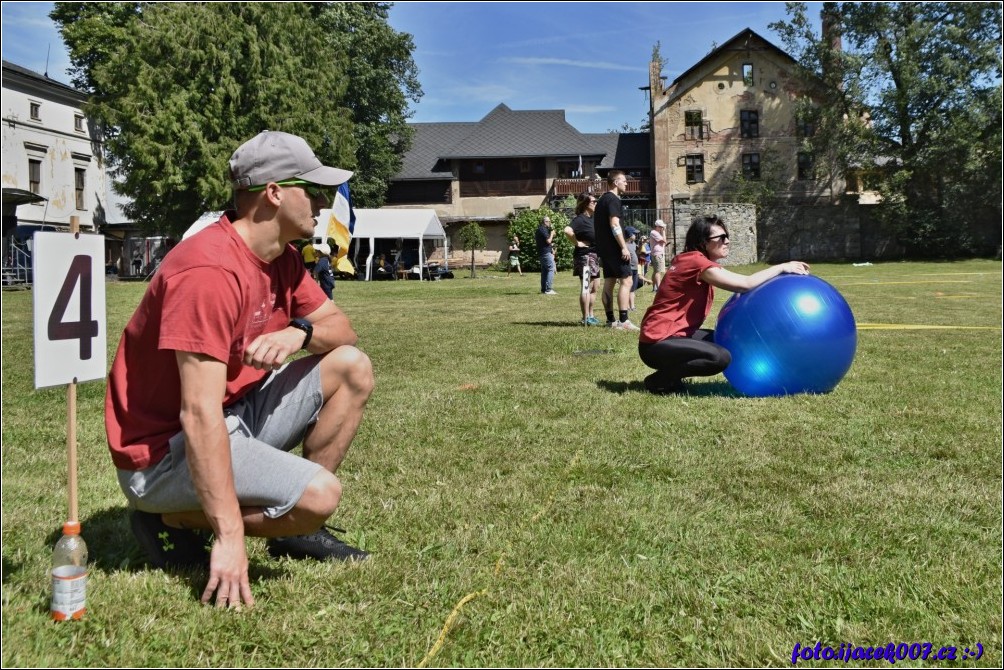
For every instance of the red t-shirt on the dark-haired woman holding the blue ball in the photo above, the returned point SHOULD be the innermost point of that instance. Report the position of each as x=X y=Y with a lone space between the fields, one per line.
x=683 y=301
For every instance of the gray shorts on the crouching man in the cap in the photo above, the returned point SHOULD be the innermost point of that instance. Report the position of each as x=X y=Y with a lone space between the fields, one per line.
x=265 y=426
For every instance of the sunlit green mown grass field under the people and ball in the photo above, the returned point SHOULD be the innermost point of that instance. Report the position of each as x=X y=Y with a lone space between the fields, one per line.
x=528 y=504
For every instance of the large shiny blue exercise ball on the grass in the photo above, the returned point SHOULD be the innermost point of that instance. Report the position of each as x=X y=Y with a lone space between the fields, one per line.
x=793 y=334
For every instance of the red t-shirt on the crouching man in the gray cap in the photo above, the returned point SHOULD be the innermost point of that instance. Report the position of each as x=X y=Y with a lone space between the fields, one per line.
x=210 y=296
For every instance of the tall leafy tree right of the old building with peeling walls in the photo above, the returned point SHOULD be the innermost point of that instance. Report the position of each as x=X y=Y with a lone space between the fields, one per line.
x=912 y=91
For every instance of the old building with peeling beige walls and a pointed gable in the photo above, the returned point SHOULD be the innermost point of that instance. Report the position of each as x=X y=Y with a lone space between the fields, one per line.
x=733 y=111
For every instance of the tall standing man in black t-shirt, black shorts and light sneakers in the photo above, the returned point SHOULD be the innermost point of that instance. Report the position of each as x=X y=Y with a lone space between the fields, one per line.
x=615 y=258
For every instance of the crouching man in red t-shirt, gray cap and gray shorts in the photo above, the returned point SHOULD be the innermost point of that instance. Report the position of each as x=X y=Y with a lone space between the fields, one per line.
x=203 y=405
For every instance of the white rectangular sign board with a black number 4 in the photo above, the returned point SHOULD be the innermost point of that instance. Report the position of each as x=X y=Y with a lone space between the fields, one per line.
x=70 y=314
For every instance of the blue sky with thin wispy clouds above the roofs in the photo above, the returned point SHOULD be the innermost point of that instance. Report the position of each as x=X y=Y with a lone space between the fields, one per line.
x=589 y=59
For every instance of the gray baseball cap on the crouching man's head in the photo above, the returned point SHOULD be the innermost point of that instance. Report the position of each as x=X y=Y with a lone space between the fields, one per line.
x=275 y=157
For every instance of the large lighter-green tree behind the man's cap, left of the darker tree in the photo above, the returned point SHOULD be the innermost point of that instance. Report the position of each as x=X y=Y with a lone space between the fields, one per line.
x=178 y=87
